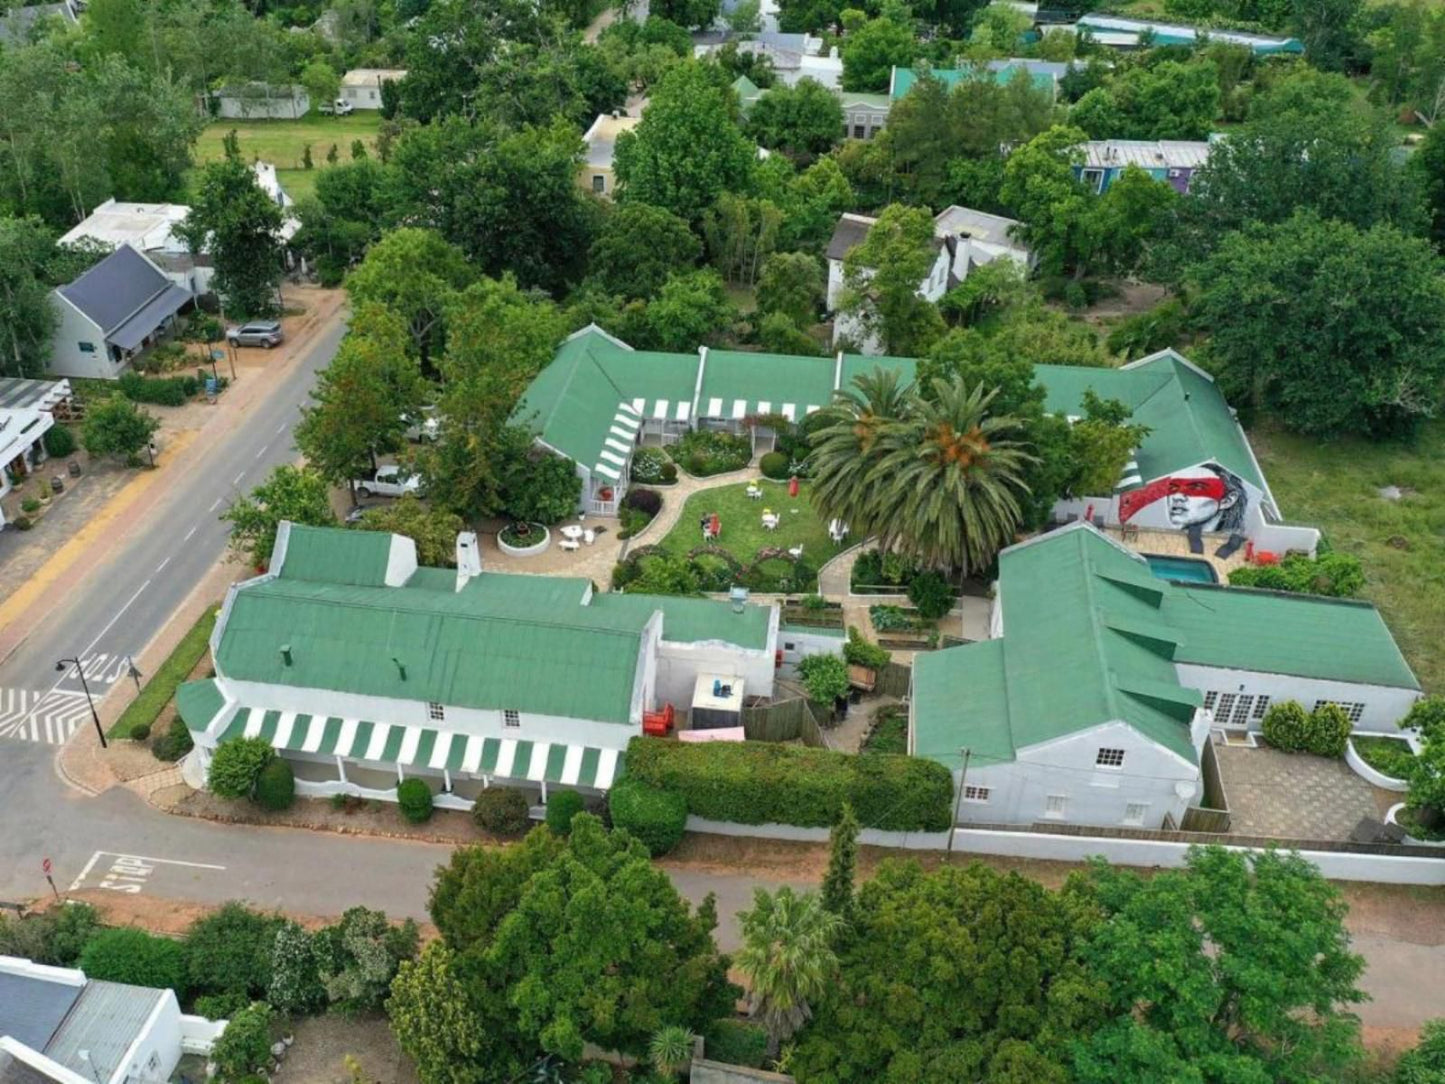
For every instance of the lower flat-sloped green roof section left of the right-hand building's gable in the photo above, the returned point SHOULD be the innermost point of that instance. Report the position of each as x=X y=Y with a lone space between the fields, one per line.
x=960 y=700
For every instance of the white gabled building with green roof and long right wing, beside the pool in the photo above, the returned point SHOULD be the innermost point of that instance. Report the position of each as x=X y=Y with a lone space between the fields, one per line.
x=1102 y=683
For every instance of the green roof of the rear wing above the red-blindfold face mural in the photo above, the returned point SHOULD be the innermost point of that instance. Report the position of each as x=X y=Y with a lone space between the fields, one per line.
x=1189 y=417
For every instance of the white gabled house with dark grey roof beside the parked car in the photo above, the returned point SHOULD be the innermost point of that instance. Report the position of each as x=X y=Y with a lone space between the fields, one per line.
x=112 y=313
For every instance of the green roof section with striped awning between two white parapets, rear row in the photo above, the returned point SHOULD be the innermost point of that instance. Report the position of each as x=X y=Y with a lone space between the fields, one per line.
x=738 y=384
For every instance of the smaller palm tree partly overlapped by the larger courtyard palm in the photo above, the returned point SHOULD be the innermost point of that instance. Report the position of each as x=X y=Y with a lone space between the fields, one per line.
x=845 y=447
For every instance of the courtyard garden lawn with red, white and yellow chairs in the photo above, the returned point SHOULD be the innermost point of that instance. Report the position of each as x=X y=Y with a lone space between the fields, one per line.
x=743 y=534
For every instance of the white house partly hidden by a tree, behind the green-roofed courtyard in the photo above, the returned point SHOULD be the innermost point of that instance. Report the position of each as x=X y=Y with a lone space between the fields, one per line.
x=963 y=239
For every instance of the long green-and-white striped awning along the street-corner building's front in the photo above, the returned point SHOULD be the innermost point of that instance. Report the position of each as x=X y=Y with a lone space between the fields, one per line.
x=391 y=744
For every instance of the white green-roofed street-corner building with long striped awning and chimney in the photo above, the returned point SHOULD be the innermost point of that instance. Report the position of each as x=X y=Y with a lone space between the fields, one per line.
x=363 y=670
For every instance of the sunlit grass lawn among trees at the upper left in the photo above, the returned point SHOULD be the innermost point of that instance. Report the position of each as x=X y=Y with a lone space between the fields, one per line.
x=284 y=144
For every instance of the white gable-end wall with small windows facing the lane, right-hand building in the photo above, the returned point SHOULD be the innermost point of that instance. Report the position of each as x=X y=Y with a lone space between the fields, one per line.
x=1021 y=790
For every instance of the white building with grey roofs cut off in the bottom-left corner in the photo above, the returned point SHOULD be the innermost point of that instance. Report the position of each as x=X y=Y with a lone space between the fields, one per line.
x=60 y=1027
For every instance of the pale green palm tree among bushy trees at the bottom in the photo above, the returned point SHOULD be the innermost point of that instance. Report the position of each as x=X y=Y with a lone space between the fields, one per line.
x=788 y=959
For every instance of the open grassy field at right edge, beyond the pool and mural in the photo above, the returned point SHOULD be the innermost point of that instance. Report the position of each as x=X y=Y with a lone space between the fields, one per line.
x=1401 y=543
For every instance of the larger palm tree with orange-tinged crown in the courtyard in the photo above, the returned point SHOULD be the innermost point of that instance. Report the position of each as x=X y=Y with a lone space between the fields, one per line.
x=946 y=481
